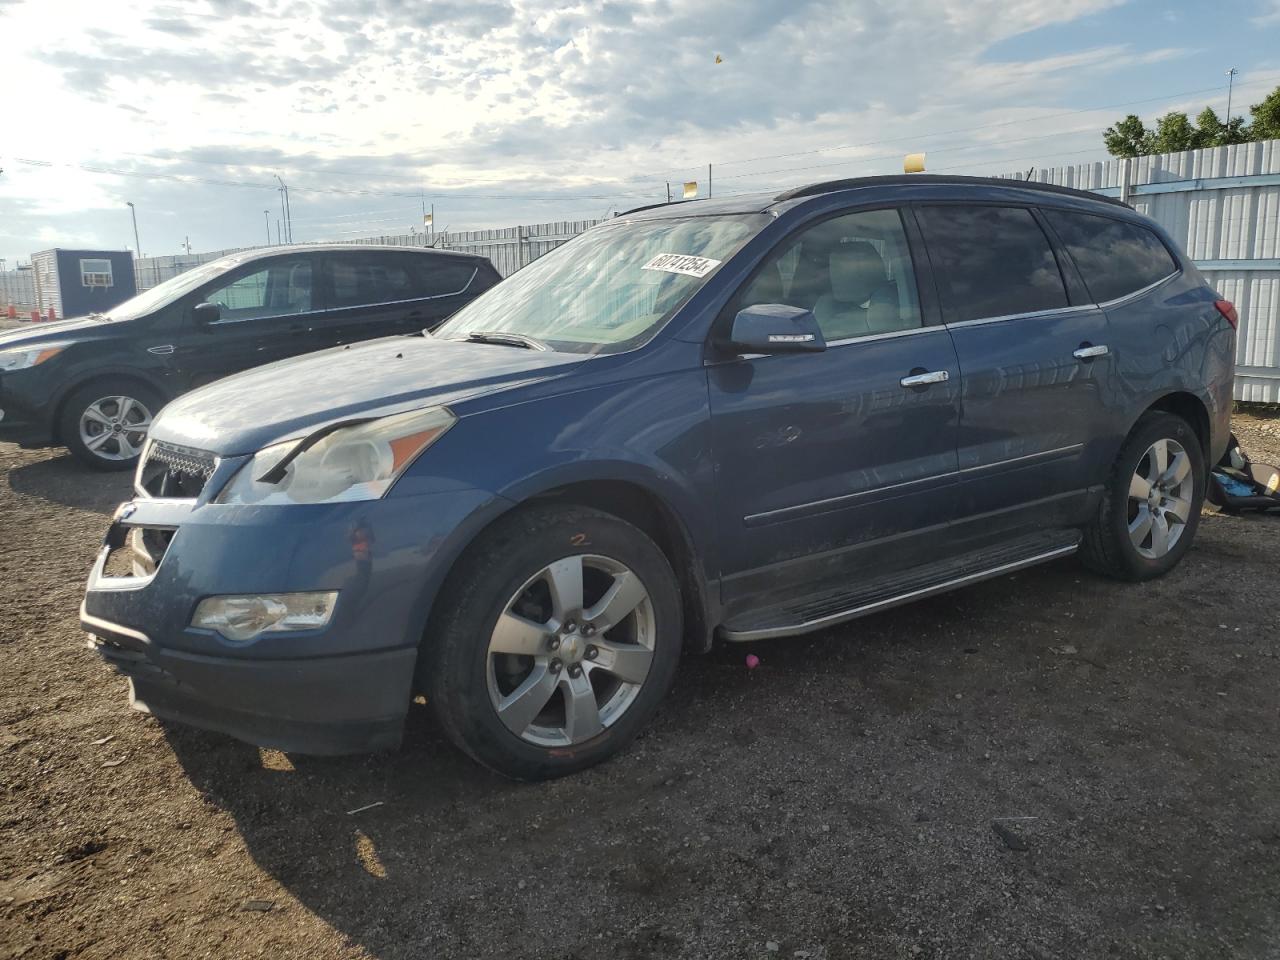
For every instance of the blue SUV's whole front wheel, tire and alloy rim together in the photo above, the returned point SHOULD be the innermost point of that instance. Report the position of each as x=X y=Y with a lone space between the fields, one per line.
x=482 y=696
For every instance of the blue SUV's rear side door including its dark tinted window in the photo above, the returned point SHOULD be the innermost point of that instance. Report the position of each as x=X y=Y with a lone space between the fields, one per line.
x=1032 y=409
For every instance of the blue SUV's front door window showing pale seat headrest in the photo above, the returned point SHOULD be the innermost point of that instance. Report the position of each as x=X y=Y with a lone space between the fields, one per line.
x=854 y=273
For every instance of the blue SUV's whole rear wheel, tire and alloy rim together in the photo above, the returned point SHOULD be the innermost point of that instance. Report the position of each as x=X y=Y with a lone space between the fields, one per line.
x=1121 y=543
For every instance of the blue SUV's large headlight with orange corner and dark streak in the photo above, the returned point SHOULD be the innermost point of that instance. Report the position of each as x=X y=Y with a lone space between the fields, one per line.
x=356 y=463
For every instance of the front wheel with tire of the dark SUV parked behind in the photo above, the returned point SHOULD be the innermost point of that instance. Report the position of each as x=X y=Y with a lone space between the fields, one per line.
x=92 y=414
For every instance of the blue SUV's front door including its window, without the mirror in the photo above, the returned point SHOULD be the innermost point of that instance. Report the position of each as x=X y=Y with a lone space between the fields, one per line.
x=828 y=467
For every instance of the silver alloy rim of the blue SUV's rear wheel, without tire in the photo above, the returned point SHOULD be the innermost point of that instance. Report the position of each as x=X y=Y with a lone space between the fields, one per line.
x=1162 y=492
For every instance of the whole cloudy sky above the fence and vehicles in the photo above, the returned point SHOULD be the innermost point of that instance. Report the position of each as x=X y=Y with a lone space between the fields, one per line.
x=508 y=112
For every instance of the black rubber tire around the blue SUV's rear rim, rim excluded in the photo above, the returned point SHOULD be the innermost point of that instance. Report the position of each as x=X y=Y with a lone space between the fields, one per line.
x=1153 y=428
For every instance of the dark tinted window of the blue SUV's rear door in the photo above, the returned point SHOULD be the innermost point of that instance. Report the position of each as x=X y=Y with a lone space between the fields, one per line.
x=991 y=262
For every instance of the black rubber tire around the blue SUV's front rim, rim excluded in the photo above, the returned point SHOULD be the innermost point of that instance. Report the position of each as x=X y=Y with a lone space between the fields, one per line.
x=487 y=578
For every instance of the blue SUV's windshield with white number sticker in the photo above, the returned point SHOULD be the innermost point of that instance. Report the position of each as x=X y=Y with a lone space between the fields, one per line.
x=610 y=290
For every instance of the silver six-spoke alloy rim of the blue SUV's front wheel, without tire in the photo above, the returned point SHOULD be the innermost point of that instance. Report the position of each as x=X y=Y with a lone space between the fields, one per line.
x=572 y=651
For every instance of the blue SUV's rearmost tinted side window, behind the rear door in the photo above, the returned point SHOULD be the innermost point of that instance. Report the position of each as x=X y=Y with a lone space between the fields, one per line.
x=1114 y=258
